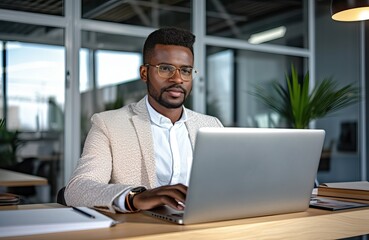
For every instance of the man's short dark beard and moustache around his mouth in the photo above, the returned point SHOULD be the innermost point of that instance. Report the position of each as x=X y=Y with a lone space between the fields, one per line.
x=158 y=96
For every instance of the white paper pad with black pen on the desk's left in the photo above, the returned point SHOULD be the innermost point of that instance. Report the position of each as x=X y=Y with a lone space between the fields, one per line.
x=48 y=220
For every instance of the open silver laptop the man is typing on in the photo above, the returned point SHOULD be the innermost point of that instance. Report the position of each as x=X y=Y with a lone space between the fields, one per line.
x=248 y=172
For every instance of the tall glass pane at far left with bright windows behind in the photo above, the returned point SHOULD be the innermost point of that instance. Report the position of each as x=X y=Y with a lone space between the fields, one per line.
x=34 y=108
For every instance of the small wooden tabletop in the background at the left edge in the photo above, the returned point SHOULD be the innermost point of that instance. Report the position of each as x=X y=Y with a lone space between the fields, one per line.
x=15 y=179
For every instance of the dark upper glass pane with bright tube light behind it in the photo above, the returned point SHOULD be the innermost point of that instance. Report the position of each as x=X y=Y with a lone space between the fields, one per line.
x=257 y=22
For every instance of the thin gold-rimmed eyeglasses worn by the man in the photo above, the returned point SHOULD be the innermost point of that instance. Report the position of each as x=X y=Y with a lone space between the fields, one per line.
x=168 y=71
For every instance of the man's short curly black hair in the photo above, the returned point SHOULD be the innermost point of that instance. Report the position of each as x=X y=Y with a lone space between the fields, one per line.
x=167 y=36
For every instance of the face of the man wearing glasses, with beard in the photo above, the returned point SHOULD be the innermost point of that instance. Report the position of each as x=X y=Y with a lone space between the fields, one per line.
x=167 y=92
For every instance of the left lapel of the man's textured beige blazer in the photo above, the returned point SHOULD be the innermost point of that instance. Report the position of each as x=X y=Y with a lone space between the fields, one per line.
x=141 y=123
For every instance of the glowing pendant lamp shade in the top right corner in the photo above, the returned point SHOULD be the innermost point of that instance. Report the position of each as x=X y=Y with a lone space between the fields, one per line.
x=350 y=10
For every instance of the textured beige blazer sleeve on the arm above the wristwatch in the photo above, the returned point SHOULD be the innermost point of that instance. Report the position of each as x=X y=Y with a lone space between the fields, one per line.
x=90 y=183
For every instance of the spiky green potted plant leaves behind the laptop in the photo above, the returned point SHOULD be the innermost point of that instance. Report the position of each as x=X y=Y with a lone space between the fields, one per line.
x=299 y=106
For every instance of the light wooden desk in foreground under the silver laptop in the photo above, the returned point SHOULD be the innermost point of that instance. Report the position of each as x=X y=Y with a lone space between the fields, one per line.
x=311 y=224
